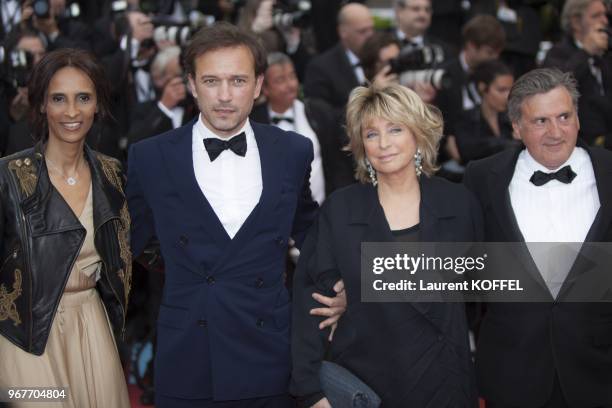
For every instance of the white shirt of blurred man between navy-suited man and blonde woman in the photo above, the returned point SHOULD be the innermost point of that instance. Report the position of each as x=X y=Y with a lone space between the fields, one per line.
x=300 y=125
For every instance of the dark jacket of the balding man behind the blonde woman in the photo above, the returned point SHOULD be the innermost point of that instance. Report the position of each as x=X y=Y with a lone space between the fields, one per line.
x=330 y=77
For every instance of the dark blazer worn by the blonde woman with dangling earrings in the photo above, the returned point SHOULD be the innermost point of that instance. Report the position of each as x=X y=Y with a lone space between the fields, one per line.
x=411 y=354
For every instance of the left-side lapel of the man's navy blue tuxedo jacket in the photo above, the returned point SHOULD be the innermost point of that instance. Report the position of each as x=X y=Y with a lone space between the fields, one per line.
x=178 y=158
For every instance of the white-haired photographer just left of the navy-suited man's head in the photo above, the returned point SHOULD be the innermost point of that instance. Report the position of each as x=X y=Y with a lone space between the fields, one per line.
x=172 y=107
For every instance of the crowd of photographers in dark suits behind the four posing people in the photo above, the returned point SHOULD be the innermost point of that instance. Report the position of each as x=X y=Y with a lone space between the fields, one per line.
x=432 y=47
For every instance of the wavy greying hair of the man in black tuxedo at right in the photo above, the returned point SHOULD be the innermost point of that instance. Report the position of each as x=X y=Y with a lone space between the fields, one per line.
x=536 y=82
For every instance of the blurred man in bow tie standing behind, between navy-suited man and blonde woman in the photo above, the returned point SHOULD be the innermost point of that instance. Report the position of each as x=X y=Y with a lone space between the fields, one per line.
x=331 y=167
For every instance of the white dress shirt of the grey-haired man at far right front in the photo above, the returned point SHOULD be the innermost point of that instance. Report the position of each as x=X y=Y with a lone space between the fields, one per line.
x=554 y=212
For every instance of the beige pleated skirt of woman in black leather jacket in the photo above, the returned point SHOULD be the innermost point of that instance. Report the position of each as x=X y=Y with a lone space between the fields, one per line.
x=81 y=354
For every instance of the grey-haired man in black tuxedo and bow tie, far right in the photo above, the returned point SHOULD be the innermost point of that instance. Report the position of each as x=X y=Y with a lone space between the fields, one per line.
x=553 y=354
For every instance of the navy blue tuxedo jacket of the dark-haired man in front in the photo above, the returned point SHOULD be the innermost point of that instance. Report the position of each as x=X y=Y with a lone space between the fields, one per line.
x=223 y=325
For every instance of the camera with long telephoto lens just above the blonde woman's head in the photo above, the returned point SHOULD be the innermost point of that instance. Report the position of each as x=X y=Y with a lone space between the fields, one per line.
x=420 y=65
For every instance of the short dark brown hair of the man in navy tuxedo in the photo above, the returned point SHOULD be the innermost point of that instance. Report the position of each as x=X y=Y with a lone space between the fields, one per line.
x=223 y=35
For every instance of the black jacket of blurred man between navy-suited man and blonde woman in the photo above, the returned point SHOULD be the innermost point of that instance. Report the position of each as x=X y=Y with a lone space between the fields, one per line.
x=337 y=164
